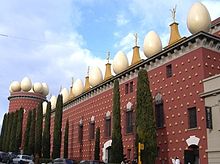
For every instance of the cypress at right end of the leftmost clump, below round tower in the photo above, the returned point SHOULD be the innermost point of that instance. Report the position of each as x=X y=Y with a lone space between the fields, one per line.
x=19 y=130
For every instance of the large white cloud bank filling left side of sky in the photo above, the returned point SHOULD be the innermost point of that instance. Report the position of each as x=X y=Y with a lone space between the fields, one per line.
x=43 y=44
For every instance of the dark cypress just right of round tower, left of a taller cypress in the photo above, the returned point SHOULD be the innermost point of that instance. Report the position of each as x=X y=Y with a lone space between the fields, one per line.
x=46 y=133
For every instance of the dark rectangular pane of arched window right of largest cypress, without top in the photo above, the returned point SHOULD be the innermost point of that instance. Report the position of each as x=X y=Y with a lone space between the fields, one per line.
x=159 y=115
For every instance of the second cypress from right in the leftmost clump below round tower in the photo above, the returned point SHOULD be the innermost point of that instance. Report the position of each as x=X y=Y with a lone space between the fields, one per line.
x=13 y=132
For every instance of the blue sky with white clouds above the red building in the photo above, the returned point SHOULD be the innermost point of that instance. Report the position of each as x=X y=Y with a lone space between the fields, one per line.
x=53 y=41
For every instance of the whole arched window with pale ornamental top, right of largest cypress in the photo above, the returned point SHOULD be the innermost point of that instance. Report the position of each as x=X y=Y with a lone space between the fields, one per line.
x=159 y=111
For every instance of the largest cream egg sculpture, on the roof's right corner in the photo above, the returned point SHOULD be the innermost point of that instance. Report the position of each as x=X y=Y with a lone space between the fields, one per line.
x=198 y=18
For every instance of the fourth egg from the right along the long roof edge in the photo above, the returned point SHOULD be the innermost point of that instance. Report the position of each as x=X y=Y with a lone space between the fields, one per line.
x=95 y=76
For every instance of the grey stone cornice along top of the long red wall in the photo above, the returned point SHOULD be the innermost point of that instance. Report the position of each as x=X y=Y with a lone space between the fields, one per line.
x=184 y=46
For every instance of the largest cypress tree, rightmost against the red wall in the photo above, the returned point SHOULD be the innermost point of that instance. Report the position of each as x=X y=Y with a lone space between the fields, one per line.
x=145 y=123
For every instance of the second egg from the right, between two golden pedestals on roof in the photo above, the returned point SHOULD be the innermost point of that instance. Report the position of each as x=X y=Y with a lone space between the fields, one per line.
x=152 y=44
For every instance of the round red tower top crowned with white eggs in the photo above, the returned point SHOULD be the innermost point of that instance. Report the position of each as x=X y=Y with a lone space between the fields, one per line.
x=25 y=95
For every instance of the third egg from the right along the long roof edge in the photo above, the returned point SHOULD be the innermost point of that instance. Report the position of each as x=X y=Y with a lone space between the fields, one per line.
x=120 y=62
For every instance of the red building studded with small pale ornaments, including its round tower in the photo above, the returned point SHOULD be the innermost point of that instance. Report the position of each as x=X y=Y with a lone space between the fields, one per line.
x=175 y=74
